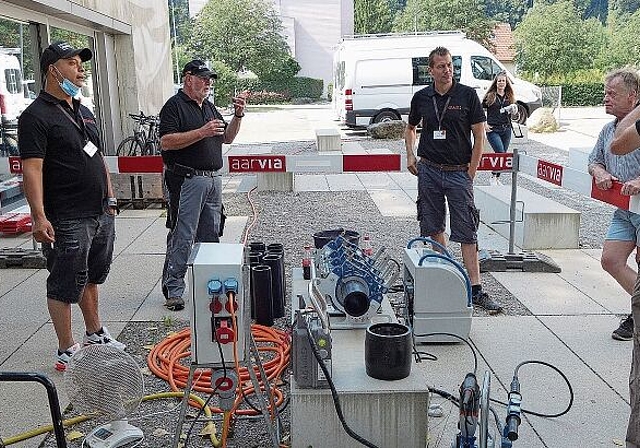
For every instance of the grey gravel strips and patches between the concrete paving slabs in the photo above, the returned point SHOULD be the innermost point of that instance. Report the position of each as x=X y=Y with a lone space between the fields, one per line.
x=291 y=218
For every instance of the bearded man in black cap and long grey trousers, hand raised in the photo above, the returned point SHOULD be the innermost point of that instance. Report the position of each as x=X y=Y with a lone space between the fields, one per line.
x=192 y=132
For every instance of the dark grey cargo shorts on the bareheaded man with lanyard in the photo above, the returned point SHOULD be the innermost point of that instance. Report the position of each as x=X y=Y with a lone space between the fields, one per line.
x=434 y=186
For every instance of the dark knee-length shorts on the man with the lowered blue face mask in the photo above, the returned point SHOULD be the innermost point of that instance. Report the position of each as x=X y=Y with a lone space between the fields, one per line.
x=81 y=254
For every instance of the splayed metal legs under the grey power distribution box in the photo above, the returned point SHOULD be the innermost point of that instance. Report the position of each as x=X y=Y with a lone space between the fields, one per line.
x=274 y=433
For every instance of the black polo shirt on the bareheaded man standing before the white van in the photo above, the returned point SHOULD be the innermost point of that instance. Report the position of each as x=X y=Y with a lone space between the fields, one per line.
x=462 y=111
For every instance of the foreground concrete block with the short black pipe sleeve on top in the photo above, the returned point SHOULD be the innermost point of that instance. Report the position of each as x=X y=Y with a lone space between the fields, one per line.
x=390 y=414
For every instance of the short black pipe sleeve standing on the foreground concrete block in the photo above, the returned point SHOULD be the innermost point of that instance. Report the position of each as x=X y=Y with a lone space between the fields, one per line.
x=387 y=351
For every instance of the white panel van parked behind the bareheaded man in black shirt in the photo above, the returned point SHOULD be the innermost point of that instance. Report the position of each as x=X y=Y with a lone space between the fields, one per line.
x=375 y=76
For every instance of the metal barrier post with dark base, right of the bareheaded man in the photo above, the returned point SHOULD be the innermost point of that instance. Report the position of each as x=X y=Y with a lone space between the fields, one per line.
x=495 y=261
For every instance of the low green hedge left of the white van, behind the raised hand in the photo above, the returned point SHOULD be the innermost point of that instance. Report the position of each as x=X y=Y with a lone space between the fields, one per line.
x=298 y=87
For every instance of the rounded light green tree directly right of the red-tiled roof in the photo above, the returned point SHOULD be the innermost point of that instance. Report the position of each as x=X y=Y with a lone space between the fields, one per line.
x=554 y=39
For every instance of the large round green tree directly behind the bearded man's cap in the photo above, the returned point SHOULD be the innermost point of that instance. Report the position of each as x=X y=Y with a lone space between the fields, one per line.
x=244 y=34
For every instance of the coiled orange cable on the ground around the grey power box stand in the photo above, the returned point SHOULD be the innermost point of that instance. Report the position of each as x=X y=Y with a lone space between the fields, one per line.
x=273 y=344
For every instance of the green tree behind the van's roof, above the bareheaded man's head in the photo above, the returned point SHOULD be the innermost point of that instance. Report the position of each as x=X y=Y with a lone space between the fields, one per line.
x=428 y=15
